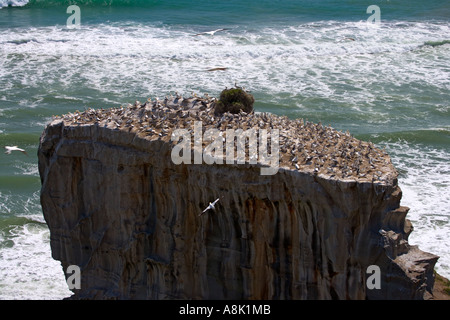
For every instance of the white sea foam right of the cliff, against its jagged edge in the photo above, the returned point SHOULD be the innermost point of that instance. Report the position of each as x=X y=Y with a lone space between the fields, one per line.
x=425 y=182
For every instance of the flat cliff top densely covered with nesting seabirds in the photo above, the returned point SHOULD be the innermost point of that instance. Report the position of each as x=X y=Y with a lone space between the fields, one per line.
x=303 y=146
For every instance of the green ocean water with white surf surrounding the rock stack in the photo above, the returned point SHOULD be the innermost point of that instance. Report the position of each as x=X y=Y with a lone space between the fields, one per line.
x=386 y=82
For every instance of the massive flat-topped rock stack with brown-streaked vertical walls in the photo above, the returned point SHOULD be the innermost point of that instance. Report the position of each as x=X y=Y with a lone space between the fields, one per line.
x=119 y=208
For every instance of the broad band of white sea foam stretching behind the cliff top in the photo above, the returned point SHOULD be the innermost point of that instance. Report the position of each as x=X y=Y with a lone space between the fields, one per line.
x=153 y=59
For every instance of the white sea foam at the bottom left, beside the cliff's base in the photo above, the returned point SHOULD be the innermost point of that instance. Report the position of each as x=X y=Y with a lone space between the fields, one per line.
x=27 y=270
